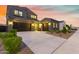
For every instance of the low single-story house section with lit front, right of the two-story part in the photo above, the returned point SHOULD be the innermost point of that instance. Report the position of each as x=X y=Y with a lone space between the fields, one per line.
x=52 y=24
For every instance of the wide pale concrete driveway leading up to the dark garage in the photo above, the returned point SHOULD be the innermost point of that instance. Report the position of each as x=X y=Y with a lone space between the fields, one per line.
x=40 y=42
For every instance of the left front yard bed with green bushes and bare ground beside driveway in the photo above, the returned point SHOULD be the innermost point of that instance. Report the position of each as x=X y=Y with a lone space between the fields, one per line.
x=12 y=44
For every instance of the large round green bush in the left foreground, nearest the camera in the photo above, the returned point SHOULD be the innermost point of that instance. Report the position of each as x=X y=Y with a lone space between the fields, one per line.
x=12 y=44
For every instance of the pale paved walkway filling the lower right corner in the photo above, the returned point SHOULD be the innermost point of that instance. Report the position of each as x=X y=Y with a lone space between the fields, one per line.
x=71 y=46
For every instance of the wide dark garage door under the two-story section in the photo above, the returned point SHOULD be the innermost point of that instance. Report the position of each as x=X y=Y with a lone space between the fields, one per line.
x=22 y=26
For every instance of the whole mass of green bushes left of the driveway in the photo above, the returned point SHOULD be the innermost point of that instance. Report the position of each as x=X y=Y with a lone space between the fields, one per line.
x=11 y=41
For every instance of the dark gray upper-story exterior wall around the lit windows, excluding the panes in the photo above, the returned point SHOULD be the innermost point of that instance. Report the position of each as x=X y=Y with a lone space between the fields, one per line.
x=26 y=13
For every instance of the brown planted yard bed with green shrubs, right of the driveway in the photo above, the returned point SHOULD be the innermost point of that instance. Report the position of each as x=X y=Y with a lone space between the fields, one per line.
x=65 y=33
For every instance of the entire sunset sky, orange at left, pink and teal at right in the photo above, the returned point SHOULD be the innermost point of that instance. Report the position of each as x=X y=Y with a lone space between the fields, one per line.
x=68 y=13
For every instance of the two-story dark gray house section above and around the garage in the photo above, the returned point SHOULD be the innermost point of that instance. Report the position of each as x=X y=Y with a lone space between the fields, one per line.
x=19 y=18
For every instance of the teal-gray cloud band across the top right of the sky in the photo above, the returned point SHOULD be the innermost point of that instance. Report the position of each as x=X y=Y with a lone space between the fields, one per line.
x=62 y=8
